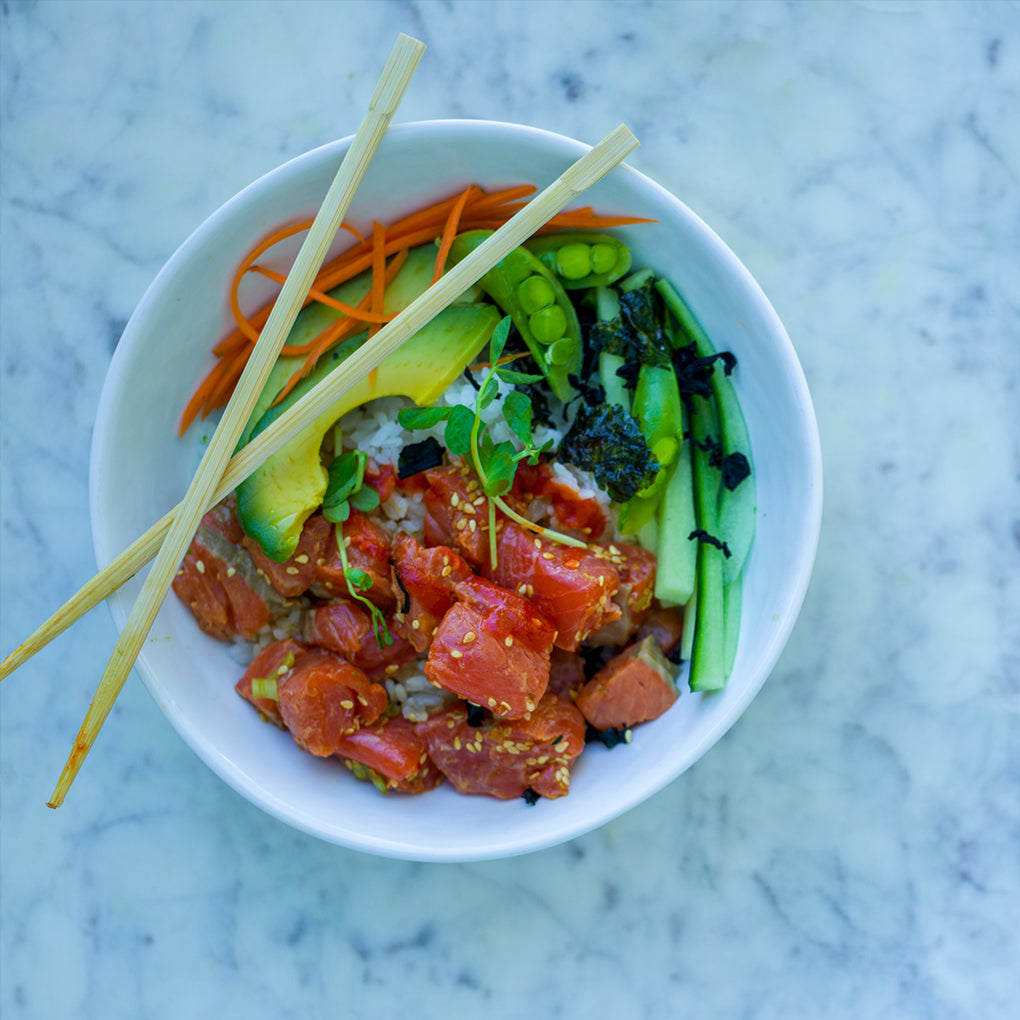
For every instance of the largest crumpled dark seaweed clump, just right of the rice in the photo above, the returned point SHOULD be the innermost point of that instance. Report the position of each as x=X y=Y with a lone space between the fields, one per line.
x=607 y=441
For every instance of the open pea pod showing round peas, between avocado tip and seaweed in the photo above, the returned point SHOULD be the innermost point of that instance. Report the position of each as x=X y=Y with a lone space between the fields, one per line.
x=528 y=292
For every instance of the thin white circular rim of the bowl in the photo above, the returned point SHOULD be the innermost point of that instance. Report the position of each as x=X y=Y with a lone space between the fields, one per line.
x=800 y=569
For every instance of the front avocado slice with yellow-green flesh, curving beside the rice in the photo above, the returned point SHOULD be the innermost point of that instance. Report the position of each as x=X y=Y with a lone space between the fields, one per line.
x=275 y=501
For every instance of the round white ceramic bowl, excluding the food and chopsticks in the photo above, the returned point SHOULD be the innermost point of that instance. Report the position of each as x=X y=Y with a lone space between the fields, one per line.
x=140 y=470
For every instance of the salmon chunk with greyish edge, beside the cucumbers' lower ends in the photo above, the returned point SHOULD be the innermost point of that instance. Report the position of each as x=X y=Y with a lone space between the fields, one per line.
x=634 y=687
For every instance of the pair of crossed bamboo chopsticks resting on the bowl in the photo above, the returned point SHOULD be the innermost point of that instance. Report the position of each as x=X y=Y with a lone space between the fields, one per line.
x=219 y=474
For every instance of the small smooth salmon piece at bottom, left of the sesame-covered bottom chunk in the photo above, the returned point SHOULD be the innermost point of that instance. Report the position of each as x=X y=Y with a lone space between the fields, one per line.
x=395 y=752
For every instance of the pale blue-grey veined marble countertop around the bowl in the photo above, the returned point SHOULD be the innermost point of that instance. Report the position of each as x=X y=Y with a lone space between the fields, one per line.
x=852 y=847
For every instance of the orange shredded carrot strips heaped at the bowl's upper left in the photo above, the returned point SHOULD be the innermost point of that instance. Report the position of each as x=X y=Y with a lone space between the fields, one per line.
x=382 y=253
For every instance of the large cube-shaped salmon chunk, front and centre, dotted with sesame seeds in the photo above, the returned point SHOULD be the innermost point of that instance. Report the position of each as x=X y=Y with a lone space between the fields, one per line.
x=492 y=647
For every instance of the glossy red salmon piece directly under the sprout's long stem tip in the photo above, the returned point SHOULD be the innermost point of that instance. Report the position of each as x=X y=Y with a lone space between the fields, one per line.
x=573 y=587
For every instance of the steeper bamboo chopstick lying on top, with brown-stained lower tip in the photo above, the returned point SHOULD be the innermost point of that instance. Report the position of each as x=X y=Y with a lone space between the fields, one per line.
x=389 y=92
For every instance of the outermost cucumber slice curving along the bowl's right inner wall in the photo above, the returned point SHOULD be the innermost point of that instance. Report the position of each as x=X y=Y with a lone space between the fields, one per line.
x=737 y=507
